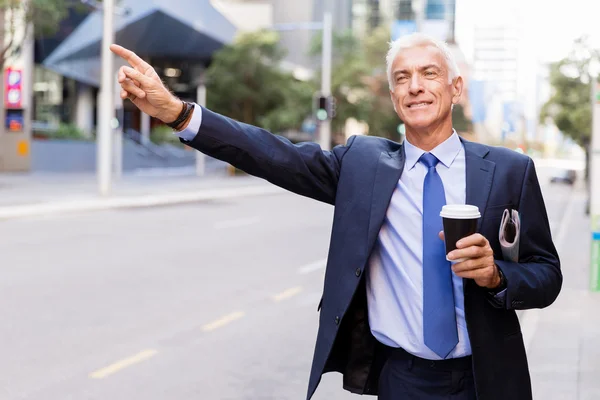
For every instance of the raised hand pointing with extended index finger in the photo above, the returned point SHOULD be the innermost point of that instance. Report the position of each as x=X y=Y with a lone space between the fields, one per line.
x=141 y=84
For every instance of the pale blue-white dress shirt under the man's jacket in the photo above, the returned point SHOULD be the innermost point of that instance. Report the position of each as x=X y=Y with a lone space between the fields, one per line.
x=395 y=272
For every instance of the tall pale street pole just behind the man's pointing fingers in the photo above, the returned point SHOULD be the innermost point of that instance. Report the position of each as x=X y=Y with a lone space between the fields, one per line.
x=106 y=114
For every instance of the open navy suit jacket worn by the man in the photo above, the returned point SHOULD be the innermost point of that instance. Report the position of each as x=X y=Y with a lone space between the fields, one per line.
x=358 y=179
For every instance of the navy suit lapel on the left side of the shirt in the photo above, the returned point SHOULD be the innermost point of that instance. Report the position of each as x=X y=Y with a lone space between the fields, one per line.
x=387 y=174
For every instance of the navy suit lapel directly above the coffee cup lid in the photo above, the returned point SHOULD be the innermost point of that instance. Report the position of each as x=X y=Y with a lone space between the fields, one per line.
x=480 y=173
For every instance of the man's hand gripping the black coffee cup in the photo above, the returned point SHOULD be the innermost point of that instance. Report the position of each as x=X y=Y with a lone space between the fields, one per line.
x=480 y=265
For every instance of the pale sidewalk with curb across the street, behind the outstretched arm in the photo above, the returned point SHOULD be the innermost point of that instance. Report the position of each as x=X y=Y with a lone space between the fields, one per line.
x=47 y=193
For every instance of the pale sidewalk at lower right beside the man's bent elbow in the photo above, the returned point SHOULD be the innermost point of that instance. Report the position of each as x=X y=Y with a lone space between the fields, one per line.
x=563 y=340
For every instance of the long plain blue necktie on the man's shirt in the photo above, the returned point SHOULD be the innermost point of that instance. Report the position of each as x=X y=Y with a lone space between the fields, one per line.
x=439 y=318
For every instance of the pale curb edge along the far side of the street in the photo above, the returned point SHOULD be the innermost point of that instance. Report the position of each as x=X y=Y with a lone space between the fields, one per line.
x=152 y=200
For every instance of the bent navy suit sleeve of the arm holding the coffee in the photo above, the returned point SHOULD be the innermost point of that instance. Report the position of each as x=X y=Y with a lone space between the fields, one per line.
x=535 y=281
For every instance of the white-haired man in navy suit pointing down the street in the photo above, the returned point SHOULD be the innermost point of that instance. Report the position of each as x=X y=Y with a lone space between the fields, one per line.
x=396 y=318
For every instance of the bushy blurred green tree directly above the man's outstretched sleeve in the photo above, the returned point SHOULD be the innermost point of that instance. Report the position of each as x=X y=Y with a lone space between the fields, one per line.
x=245 y=82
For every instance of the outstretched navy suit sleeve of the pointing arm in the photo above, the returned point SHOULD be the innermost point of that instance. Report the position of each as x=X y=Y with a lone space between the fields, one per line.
x=302 y=168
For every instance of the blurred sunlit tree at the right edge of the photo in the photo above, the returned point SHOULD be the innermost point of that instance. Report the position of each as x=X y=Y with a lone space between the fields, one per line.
x=570 y=106
